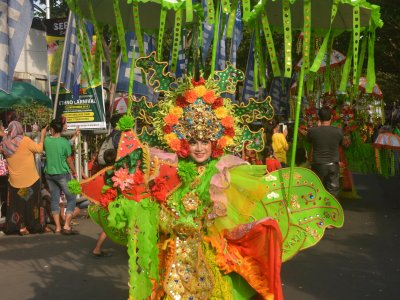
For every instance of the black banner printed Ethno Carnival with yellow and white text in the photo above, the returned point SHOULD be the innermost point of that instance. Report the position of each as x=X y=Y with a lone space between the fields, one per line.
x=85 y=112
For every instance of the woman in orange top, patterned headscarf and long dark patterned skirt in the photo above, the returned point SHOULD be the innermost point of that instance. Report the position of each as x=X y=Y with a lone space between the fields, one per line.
x=23 y=204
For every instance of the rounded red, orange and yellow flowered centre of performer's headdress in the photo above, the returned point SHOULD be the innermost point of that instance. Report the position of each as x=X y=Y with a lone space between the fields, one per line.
x=196 y=110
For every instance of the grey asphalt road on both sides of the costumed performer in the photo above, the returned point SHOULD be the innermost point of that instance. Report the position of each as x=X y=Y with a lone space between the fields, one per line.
x=359 y=261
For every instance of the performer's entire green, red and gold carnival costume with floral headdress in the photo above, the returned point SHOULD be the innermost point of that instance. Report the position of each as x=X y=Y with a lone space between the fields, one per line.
x=215 y=230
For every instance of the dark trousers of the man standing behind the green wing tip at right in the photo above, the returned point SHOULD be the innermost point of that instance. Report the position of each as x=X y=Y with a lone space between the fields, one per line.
x=329 y=175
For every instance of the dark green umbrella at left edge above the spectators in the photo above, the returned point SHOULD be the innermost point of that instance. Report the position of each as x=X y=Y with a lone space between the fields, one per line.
x=23 y=93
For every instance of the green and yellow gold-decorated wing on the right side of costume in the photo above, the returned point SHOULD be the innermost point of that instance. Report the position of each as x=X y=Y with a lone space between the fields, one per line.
x=302 y=220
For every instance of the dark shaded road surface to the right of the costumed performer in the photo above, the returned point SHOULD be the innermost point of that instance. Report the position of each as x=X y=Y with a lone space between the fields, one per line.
x=358 y=261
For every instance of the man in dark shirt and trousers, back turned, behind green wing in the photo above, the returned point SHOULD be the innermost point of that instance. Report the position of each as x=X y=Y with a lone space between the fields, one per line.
x=325 y=140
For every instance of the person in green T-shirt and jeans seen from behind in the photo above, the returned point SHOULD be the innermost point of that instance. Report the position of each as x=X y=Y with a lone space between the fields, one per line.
x=58 y=167
